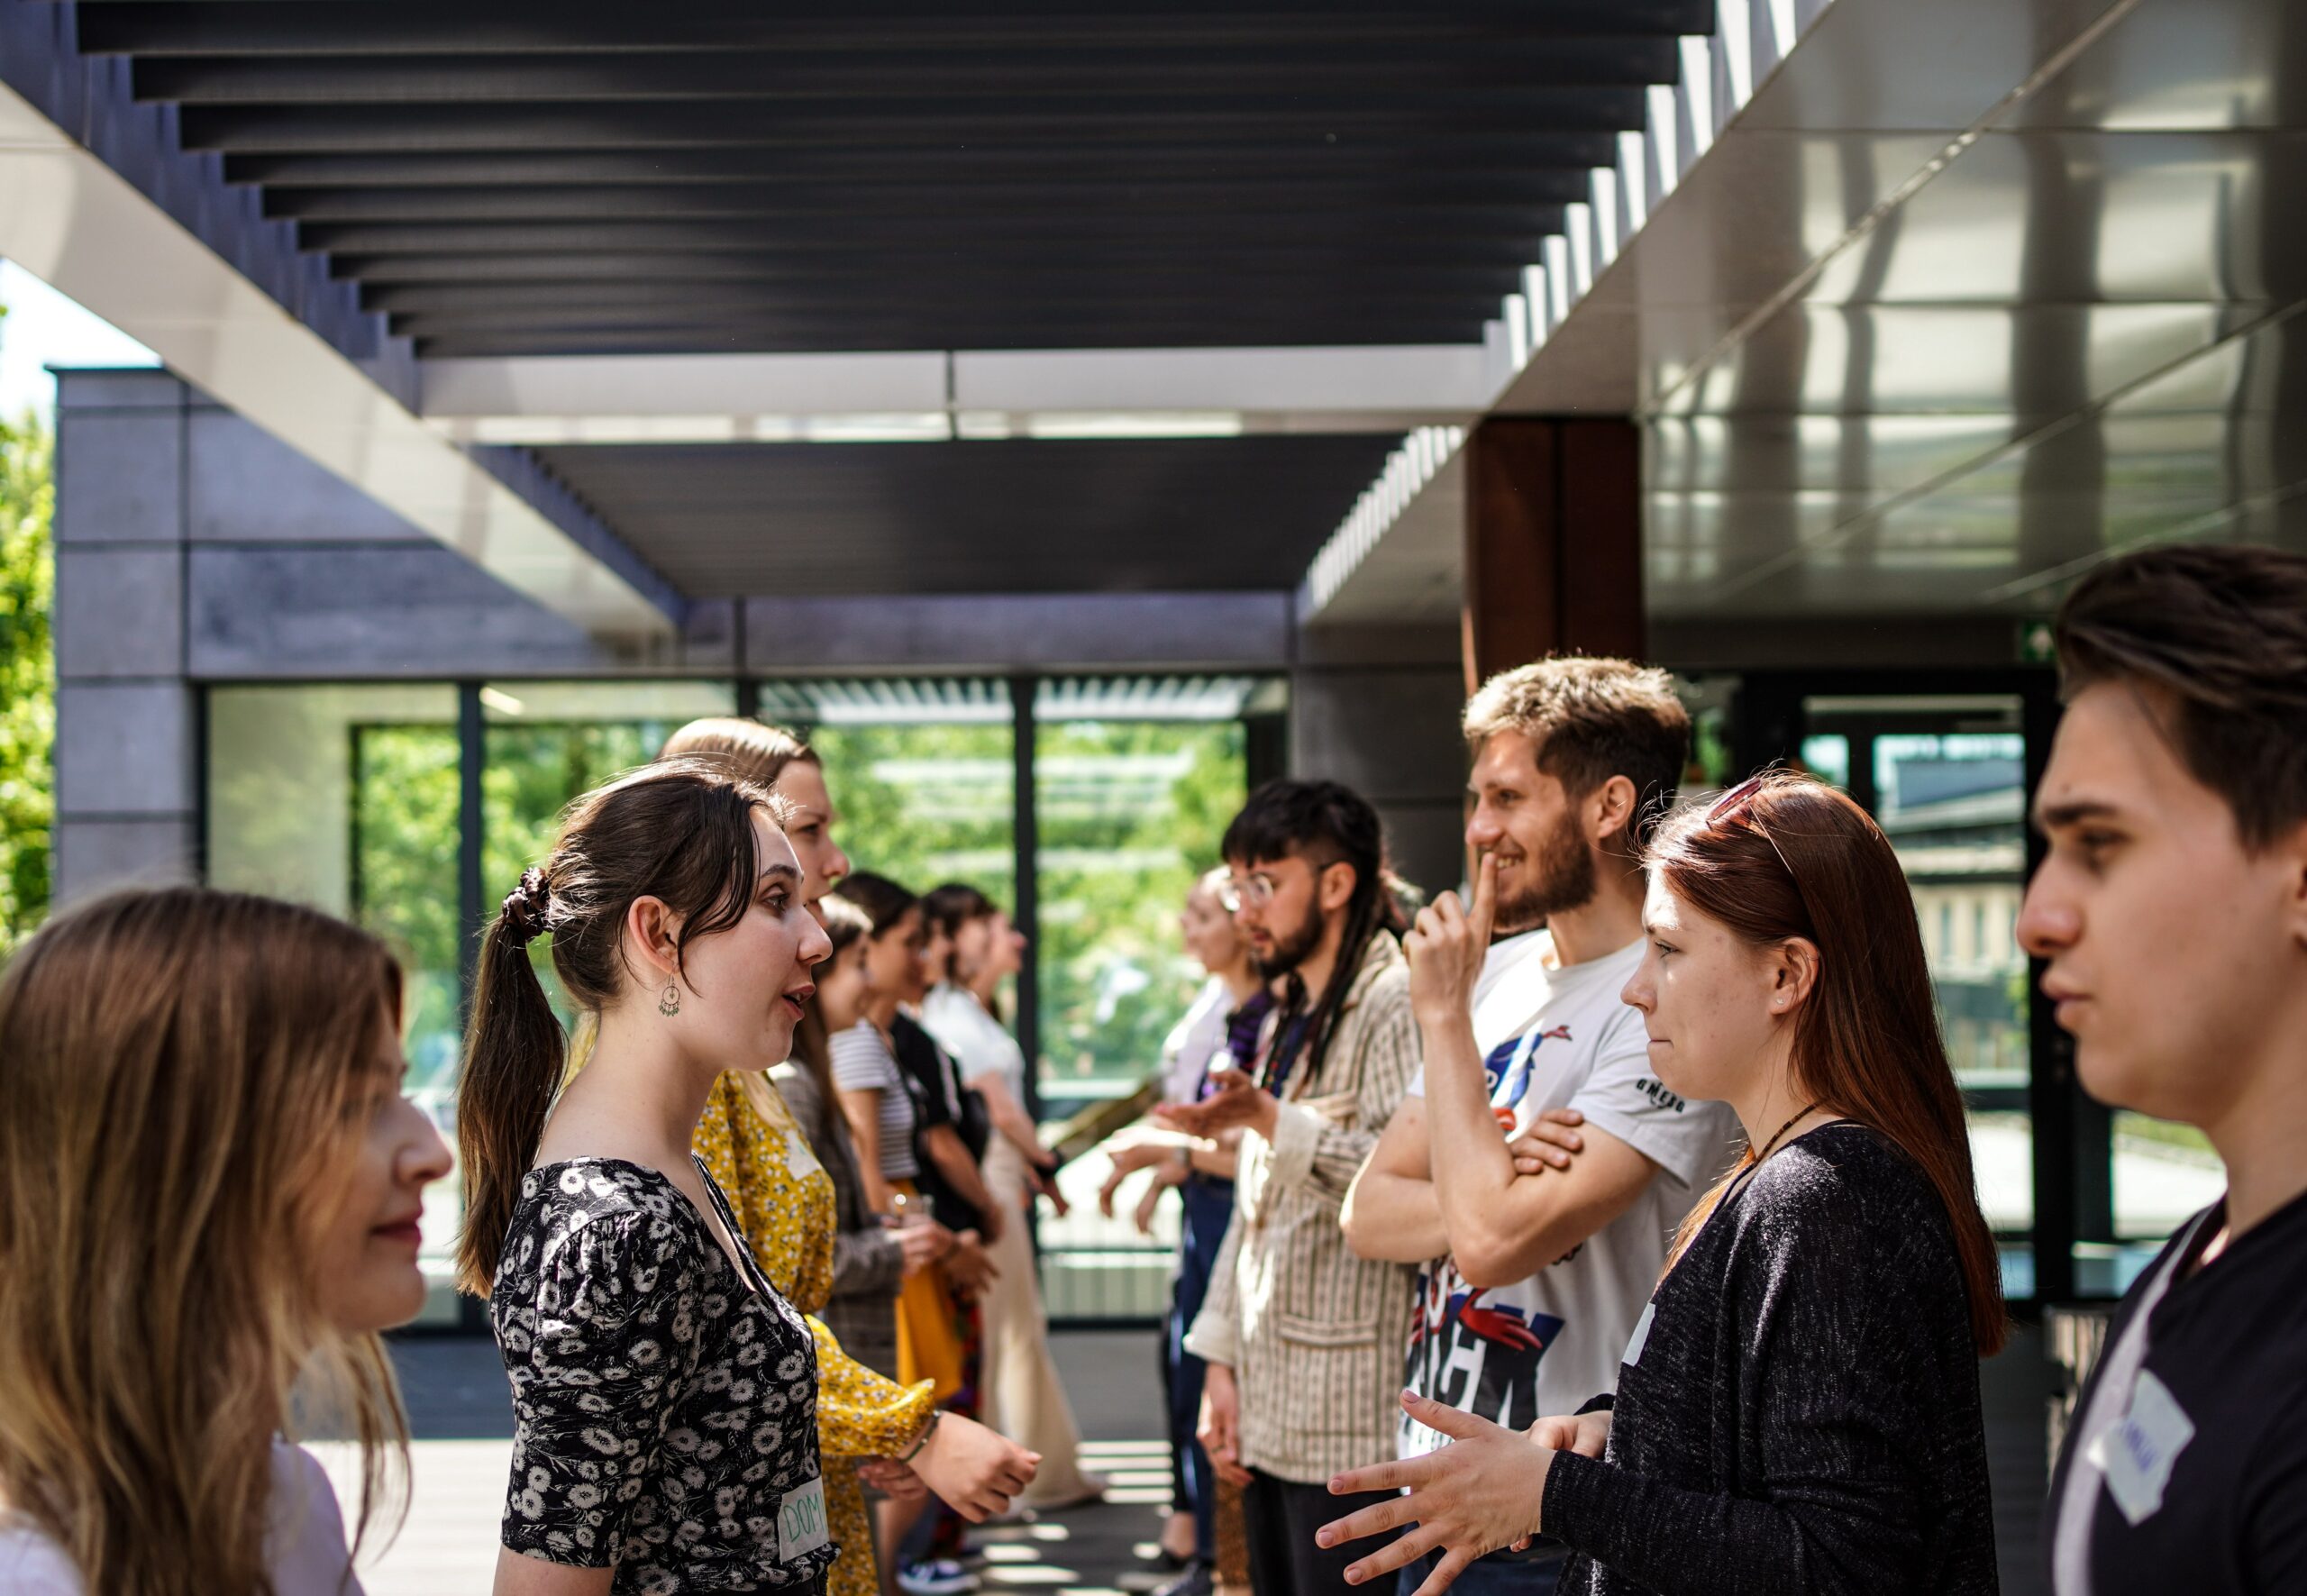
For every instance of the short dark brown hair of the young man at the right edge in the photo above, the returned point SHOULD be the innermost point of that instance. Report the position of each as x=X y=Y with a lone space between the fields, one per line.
x=2220 y=635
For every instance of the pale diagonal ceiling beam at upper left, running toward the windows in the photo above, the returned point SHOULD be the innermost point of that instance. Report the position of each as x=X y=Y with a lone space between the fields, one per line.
x=89 y=232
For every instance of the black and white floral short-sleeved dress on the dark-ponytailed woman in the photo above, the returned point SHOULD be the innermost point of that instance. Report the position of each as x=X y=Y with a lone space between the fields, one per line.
x=666 y=1403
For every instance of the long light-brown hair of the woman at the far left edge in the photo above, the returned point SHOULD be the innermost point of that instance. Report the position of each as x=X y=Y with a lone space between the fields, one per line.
x=179 y=1074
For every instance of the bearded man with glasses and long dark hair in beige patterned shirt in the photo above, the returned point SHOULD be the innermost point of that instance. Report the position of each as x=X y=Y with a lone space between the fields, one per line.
x=1300 y=1334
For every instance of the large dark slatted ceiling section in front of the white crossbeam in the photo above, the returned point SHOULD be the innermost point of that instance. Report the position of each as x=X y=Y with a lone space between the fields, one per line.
x=910 y=174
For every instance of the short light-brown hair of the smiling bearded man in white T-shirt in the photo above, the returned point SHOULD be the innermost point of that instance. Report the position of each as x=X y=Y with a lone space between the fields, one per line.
x=1591 y=721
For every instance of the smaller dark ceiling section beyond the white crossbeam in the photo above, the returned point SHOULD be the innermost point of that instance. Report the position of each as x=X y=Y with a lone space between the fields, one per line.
x=977 y=518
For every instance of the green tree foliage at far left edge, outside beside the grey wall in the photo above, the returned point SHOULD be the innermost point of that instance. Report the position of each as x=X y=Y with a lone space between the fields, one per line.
x=27 y=675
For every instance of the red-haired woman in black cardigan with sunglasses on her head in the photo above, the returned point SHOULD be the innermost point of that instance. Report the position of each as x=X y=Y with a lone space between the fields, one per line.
x=1801 y=1406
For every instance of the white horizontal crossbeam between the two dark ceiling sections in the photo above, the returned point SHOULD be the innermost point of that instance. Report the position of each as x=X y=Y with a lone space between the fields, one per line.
x=933 y=396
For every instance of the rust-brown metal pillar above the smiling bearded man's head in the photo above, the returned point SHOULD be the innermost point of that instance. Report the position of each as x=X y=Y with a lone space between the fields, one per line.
x=1554 y=543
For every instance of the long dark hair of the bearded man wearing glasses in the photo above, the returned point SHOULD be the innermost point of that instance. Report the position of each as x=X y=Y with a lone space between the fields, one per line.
x=1328 y=825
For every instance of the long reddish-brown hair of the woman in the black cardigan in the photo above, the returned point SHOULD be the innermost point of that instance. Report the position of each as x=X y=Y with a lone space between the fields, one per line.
x=1787 y=857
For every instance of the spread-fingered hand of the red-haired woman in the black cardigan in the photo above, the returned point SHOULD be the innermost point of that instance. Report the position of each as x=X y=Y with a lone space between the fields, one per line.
x=1468 y=1500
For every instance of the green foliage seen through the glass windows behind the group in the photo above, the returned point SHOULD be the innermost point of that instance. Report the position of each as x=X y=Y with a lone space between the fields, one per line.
x=1129 y=815
